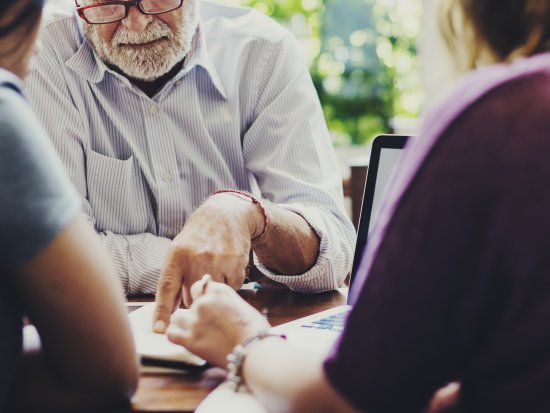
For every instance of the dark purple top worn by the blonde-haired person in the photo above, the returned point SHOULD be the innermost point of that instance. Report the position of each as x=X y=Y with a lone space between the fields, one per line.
x=455 y=280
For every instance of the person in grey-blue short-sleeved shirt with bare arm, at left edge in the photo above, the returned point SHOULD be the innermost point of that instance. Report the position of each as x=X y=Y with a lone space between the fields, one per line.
x=52 y=267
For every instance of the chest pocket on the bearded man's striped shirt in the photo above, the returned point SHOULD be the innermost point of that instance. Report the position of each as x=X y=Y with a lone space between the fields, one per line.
x=118 y=194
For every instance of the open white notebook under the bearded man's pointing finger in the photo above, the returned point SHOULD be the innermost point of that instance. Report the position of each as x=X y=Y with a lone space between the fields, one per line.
x=155 y=349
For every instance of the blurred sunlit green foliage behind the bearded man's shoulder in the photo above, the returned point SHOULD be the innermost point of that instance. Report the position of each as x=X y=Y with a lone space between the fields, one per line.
x=363 y=60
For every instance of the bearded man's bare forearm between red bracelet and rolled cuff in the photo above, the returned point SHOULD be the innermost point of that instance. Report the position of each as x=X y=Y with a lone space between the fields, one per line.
x=289 y=245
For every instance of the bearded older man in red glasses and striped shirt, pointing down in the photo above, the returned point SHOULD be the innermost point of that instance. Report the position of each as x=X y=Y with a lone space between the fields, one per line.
x=157 y=105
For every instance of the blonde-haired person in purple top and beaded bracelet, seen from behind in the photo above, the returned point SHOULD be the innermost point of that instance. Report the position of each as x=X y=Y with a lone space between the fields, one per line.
x=454 y=284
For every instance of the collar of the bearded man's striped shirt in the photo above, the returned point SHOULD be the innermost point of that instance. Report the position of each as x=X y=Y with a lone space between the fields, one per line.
x=87 y=63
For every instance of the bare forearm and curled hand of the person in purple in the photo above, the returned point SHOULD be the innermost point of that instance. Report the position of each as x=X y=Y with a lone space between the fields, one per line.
x=283 y=377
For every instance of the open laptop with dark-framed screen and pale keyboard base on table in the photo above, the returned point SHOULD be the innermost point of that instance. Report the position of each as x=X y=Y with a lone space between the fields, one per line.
x=318 y=332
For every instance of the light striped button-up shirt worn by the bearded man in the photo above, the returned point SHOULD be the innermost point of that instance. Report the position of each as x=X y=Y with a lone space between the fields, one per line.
x=242 y=113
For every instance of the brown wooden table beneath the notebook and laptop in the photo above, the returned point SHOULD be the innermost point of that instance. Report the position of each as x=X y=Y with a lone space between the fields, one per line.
x=182 y=393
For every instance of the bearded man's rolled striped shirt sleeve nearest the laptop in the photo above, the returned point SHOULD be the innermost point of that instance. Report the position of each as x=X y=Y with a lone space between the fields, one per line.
x=289 y=151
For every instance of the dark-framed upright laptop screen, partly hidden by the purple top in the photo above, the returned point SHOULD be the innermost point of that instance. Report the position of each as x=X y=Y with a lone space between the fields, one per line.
x=385 y=155
